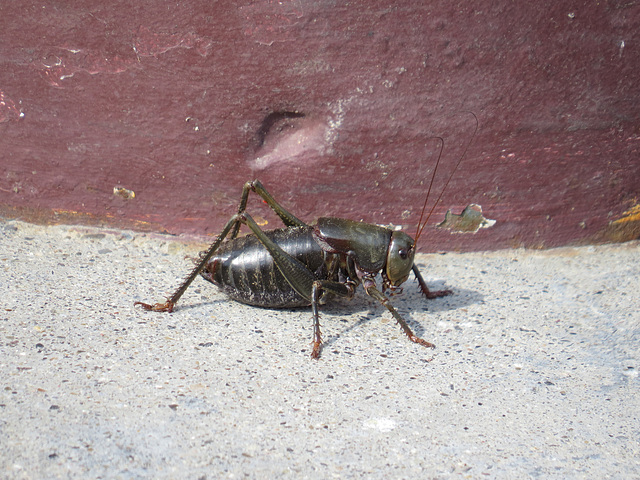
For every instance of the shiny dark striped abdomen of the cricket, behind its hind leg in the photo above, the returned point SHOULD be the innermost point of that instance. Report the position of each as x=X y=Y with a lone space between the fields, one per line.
x=244 y=269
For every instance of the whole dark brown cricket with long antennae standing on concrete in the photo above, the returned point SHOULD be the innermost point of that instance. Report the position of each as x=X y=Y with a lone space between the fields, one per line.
x=302 y=265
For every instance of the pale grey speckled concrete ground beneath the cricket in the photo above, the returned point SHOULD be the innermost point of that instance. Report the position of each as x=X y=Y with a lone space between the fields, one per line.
x=535 y=374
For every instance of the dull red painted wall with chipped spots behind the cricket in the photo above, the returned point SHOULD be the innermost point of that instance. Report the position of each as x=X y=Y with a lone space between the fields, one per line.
x=332 y=106
